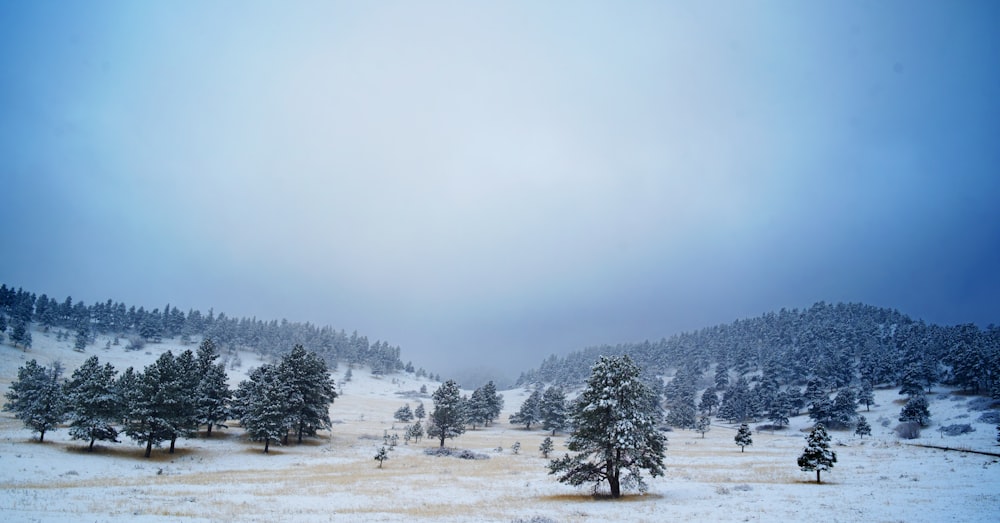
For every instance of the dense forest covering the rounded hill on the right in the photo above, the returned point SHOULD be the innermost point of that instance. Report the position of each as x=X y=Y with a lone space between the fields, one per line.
x=837 y=346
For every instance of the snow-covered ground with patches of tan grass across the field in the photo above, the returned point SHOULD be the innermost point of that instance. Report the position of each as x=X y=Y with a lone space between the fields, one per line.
x=335 y=477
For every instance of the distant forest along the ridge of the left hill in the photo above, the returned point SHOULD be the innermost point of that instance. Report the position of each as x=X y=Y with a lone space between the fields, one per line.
x=20 y=308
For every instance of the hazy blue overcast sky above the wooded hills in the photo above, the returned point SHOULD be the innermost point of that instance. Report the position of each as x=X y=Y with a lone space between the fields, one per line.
x=487 y=183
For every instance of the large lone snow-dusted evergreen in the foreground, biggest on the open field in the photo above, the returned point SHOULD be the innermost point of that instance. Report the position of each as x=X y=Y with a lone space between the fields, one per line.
x=615 y=435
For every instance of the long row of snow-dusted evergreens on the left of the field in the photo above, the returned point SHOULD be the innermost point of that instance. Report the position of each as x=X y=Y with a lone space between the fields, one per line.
x=175 y=396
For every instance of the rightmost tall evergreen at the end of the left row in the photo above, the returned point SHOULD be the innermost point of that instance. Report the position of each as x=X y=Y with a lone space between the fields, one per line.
x=310 y=391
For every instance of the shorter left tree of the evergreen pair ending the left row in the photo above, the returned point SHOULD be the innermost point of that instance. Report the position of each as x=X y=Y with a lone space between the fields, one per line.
x=259 y=403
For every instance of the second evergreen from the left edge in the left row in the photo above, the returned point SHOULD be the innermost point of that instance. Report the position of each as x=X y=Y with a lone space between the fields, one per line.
x=92 y=402
